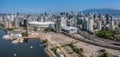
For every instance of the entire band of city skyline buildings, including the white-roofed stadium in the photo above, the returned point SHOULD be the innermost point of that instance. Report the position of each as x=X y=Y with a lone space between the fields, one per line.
x=89 y=22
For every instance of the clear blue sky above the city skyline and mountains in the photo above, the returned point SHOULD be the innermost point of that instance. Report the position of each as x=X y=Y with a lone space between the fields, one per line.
x=38 y=6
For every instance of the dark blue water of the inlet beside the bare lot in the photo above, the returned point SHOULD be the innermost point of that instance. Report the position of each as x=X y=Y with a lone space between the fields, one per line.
x=7 y=49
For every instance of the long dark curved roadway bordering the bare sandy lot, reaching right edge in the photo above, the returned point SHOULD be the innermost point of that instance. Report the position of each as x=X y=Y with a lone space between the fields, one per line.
x=93 y=42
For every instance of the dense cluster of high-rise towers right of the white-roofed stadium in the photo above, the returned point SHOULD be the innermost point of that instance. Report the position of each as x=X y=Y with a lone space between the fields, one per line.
x=91 y=22
